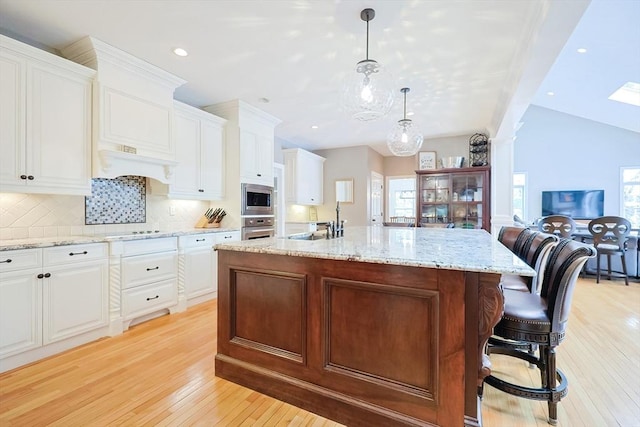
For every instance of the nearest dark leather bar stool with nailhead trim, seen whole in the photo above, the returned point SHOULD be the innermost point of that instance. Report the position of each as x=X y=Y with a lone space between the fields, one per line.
x=541 y=320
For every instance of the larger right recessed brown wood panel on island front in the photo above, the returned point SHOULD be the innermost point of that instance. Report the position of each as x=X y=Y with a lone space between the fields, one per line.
x=402 y=354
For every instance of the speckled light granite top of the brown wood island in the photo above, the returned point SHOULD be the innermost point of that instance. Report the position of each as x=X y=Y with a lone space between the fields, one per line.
x=453 y=249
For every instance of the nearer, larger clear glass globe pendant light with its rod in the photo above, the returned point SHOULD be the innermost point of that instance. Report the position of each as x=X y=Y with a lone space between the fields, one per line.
x=368 y=92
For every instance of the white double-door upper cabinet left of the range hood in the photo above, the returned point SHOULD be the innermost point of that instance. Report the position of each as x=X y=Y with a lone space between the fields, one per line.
x=45 y=122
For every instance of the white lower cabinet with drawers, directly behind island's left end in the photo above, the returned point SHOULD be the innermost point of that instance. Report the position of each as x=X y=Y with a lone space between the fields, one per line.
x=198 y=278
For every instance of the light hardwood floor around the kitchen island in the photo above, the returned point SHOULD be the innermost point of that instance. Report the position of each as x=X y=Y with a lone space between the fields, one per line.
x=160 y=373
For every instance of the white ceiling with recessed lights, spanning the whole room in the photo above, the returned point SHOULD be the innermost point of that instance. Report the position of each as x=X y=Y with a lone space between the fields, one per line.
x=472 y=66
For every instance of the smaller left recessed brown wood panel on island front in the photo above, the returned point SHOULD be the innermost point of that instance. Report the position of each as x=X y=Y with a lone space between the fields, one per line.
x=268 y=312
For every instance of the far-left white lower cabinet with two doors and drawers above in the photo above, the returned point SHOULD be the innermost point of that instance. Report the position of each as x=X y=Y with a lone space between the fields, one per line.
x=51 y=299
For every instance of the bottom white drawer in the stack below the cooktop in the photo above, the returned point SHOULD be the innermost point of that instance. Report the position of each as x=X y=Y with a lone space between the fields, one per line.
x=148 y=298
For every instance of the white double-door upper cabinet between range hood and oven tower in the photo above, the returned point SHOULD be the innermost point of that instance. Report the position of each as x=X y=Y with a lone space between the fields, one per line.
x=198 y=137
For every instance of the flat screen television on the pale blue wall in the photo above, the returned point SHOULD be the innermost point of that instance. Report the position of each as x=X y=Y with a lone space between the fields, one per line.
x=578 y=204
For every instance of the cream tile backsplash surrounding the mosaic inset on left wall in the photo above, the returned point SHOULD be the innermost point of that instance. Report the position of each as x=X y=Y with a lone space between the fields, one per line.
x=45 y=215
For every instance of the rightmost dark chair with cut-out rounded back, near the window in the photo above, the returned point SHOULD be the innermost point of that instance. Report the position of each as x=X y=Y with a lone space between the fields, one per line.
x=610 y=234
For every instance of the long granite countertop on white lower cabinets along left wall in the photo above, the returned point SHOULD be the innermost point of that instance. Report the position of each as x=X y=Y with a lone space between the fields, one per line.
x=43 y=242
